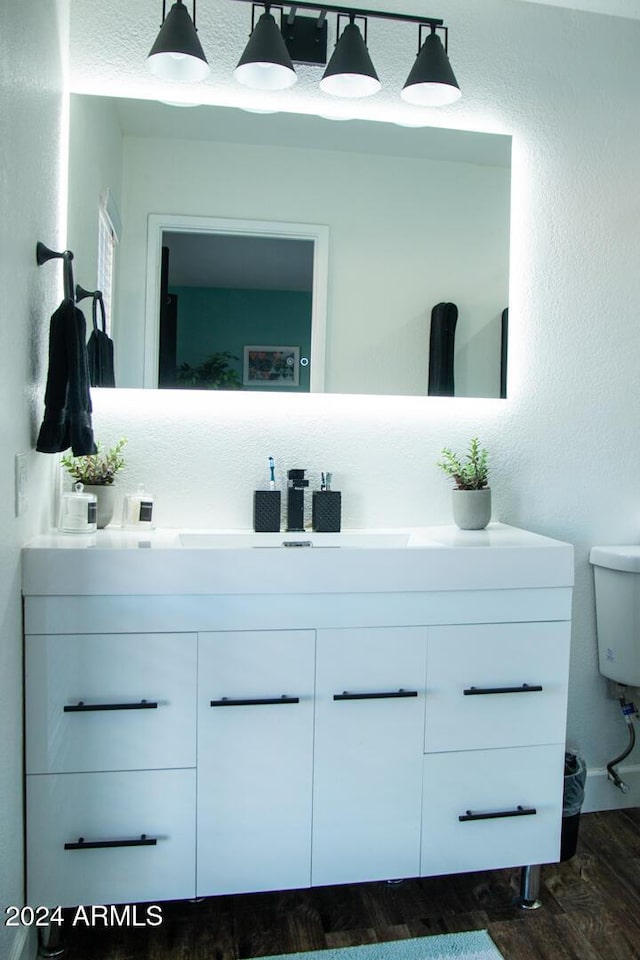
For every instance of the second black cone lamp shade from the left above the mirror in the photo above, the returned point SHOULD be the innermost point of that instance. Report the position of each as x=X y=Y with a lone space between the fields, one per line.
x=265 y=63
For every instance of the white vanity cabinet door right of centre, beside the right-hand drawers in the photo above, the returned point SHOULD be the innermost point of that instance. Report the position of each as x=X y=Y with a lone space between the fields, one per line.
x=368 y=754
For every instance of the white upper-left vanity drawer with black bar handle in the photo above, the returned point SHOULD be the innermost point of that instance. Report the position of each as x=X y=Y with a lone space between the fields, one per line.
x=110 y=702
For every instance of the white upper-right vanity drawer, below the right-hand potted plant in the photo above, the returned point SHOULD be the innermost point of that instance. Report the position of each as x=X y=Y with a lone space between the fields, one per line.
x=496 y=685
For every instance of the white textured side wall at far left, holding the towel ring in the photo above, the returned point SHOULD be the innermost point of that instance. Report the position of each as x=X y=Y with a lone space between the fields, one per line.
x=30 y=170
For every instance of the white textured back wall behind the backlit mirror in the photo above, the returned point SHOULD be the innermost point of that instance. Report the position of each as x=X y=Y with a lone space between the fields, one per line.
x=564 y=447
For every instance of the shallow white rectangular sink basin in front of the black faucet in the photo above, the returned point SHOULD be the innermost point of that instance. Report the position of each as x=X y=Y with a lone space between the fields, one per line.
x=247 y=539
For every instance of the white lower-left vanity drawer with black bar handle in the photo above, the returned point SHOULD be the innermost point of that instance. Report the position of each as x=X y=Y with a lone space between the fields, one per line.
x=113 y=811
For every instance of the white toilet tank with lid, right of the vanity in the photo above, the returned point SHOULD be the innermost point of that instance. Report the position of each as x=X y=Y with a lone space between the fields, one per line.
x=617 y=582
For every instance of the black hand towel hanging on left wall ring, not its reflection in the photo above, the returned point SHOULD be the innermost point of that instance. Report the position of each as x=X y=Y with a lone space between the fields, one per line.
x=67 y=416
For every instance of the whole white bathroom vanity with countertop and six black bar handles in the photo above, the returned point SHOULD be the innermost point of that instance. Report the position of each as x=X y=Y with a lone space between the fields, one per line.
x=203 y=722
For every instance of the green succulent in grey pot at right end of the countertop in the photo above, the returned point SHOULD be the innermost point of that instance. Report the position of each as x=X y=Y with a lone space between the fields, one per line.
x=471 y=496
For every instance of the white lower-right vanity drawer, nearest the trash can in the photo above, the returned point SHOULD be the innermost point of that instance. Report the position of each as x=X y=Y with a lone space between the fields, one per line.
x=510 y=801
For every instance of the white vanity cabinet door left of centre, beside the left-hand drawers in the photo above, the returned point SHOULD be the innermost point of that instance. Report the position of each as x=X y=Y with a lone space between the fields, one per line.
x=255 y=756
